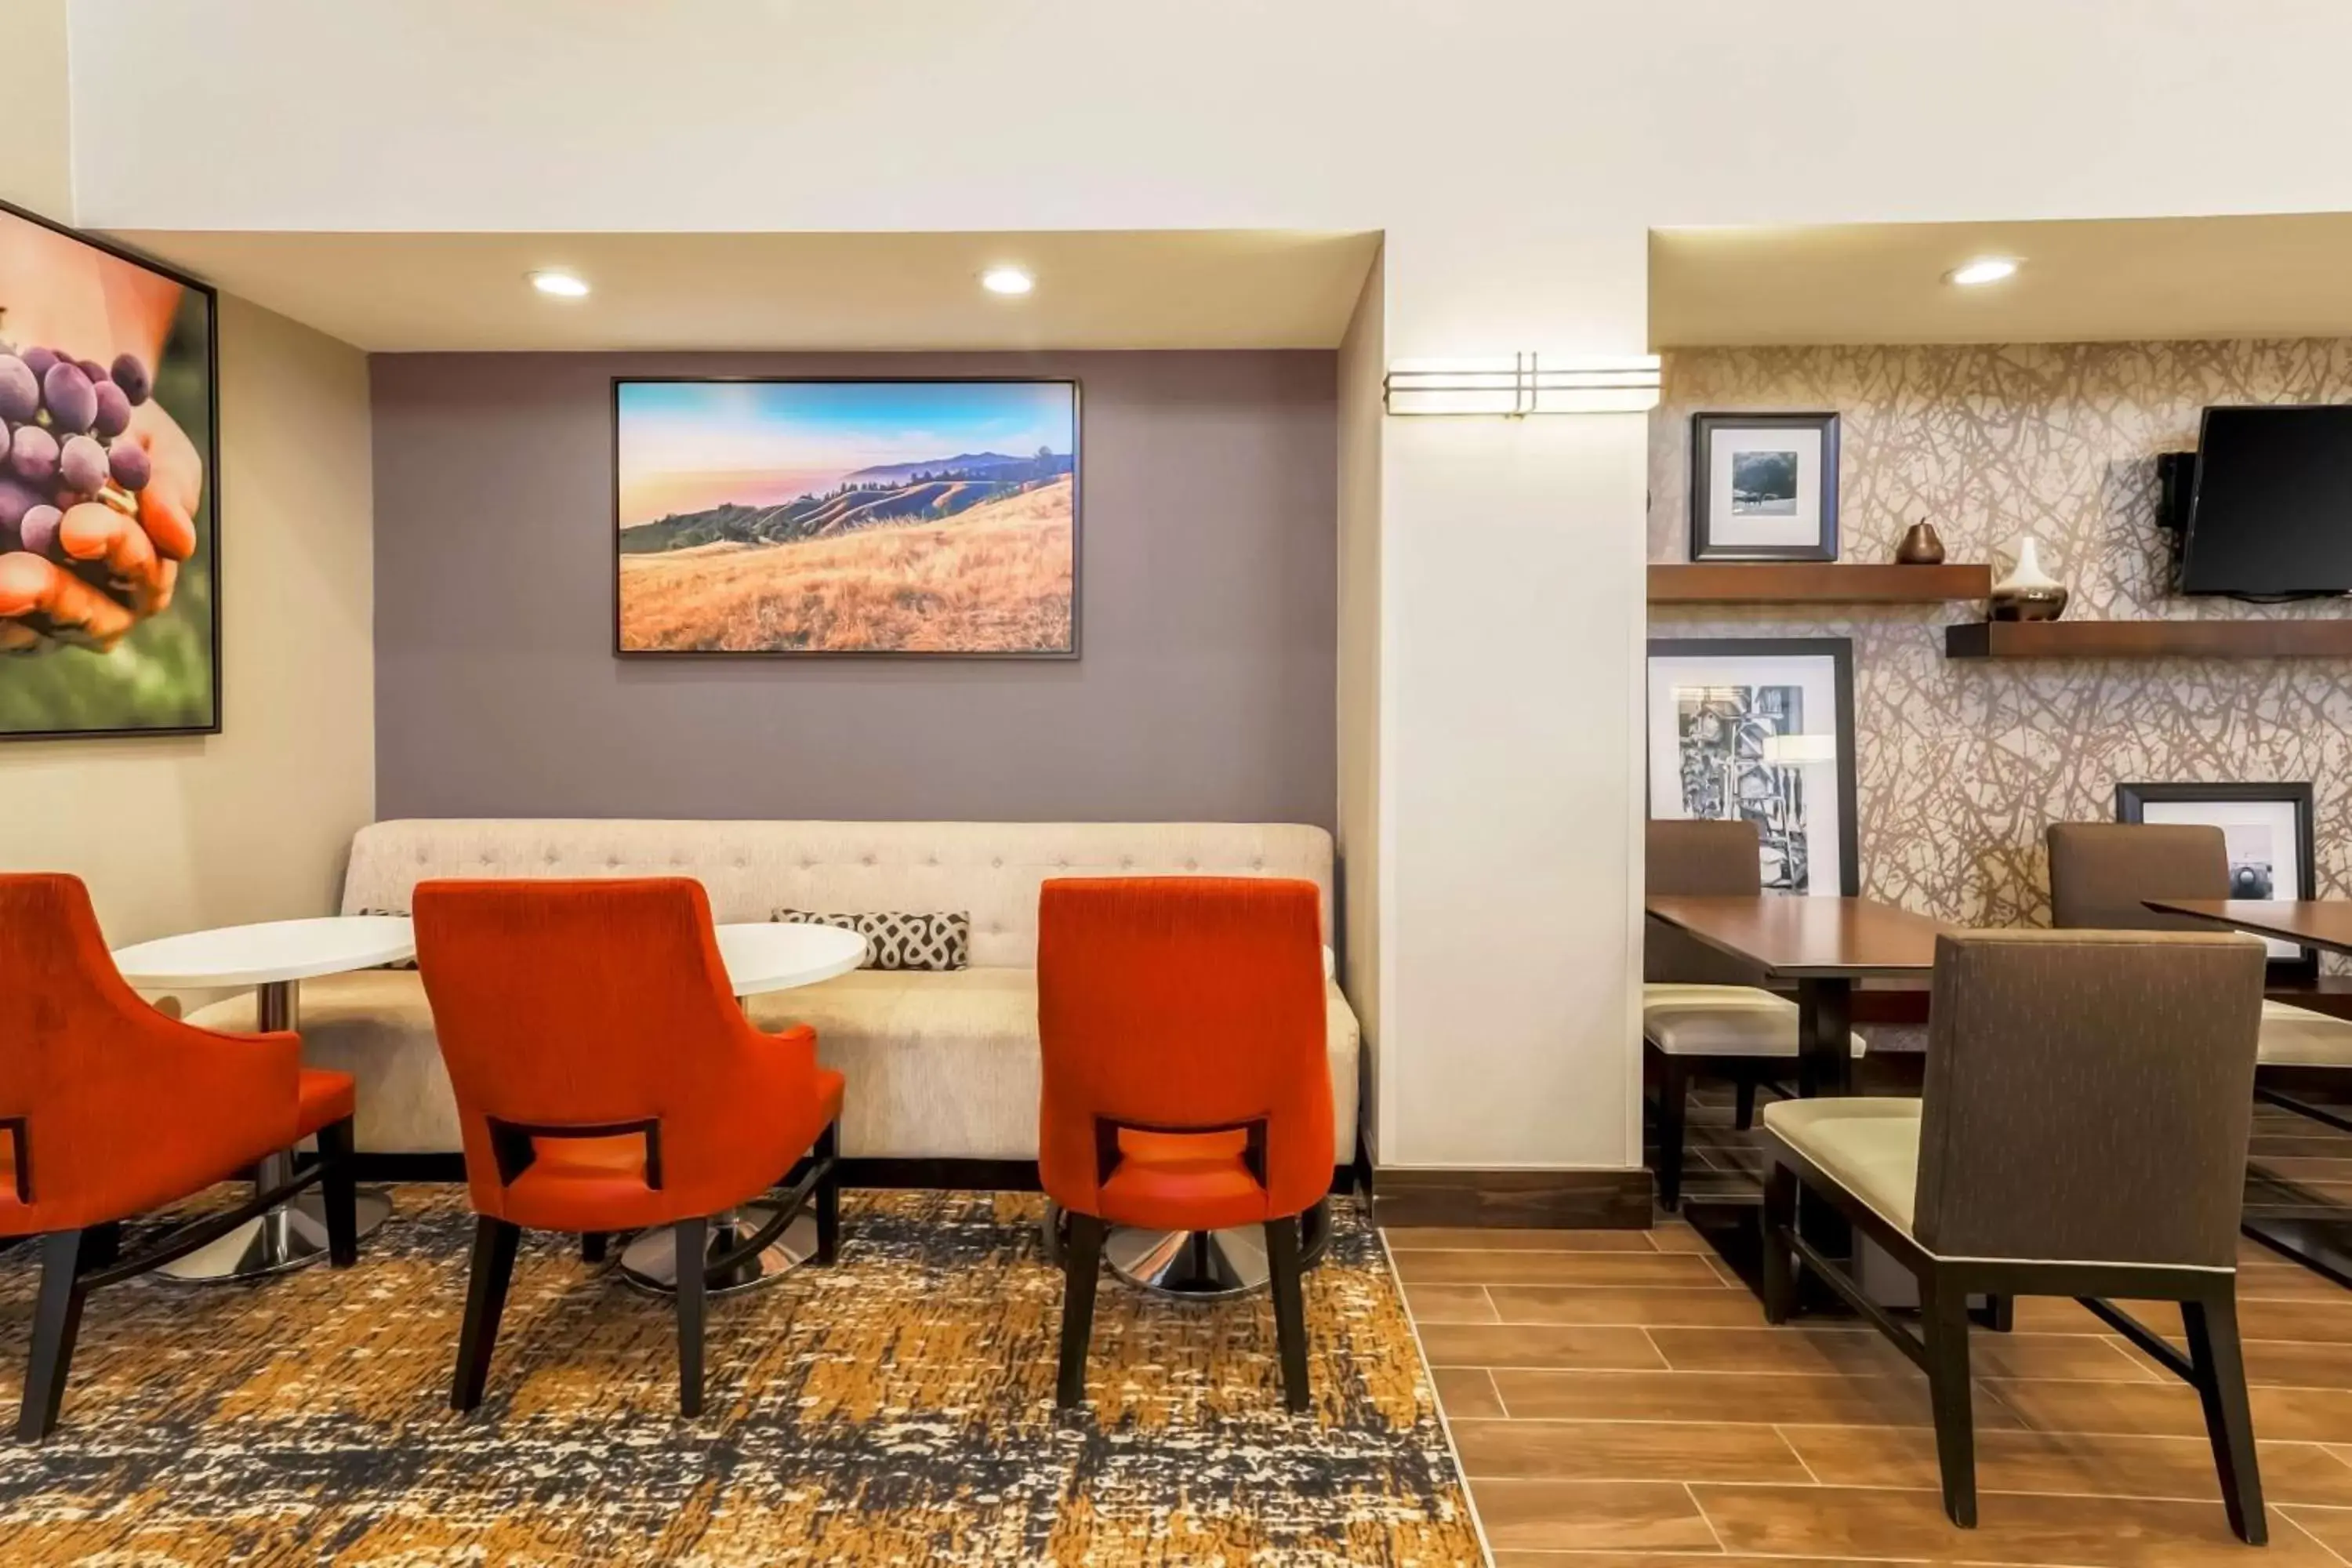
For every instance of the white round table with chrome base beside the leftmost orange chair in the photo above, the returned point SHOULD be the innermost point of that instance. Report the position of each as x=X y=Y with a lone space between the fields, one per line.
x=272 y=958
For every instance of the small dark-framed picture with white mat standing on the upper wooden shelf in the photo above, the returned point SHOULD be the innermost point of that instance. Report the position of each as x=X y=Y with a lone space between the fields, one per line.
x=1763 y=488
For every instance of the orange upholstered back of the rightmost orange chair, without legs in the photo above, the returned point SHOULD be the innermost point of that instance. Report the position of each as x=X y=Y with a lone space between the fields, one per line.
x=1184 y=1005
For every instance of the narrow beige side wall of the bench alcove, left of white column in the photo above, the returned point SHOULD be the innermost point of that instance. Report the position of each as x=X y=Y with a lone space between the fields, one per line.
x=1363 y=363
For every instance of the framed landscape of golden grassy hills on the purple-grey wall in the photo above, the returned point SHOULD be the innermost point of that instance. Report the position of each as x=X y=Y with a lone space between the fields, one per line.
x=846 y=518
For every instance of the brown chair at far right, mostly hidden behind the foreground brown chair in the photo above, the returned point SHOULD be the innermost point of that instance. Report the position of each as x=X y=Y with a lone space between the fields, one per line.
x=2104 y=873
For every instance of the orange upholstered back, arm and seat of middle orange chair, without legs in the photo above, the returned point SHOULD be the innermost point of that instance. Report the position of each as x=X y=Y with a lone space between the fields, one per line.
x=606 y=1005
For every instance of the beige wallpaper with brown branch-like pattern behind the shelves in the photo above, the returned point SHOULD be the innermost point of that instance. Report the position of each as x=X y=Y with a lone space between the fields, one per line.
x=1963 y=763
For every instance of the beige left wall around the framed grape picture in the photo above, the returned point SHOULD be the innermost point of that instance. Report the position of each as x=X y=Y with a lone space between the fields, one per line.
x=250 y=824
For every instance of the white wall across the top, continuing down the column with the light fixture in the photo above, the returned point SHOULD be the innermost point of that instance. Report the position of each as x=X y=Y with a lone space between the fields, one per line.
x=1516 y=156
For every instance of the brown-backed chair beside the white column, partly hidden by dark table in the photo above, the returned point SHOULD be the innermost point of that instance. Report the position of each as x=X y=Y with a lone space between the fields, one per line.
x=1704 y=1010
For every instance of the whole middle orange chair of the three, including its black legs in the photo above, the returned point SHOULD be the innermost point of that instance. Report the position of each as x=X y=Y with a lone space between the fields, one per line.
x=608 y=1080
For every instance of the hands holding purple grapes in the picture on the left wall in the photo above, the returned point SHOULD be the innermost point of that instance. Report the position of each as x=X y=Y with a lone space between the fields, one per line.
x=98 y=500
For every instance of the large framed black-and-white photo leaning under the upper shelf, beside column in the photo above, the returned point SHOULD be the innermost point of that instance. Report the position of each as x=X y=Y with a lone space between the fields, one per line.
x=1760 y=730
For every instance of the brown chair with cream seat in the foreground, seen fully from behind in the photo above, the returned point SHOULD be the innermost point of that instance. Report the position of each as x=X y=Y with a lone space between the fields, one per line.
x=2083 y=1134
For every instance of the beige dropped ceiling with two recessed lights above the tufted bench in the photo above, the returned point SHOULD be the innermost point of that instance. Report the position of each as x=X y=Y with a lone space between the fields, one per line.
x=394 y=293
